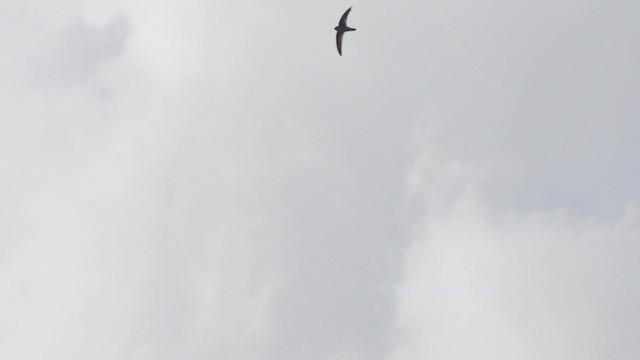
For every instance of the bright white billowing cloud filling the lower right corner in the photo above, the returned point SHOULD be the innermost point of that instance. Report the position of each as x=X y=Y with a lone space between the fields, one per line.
x=493 y=284
